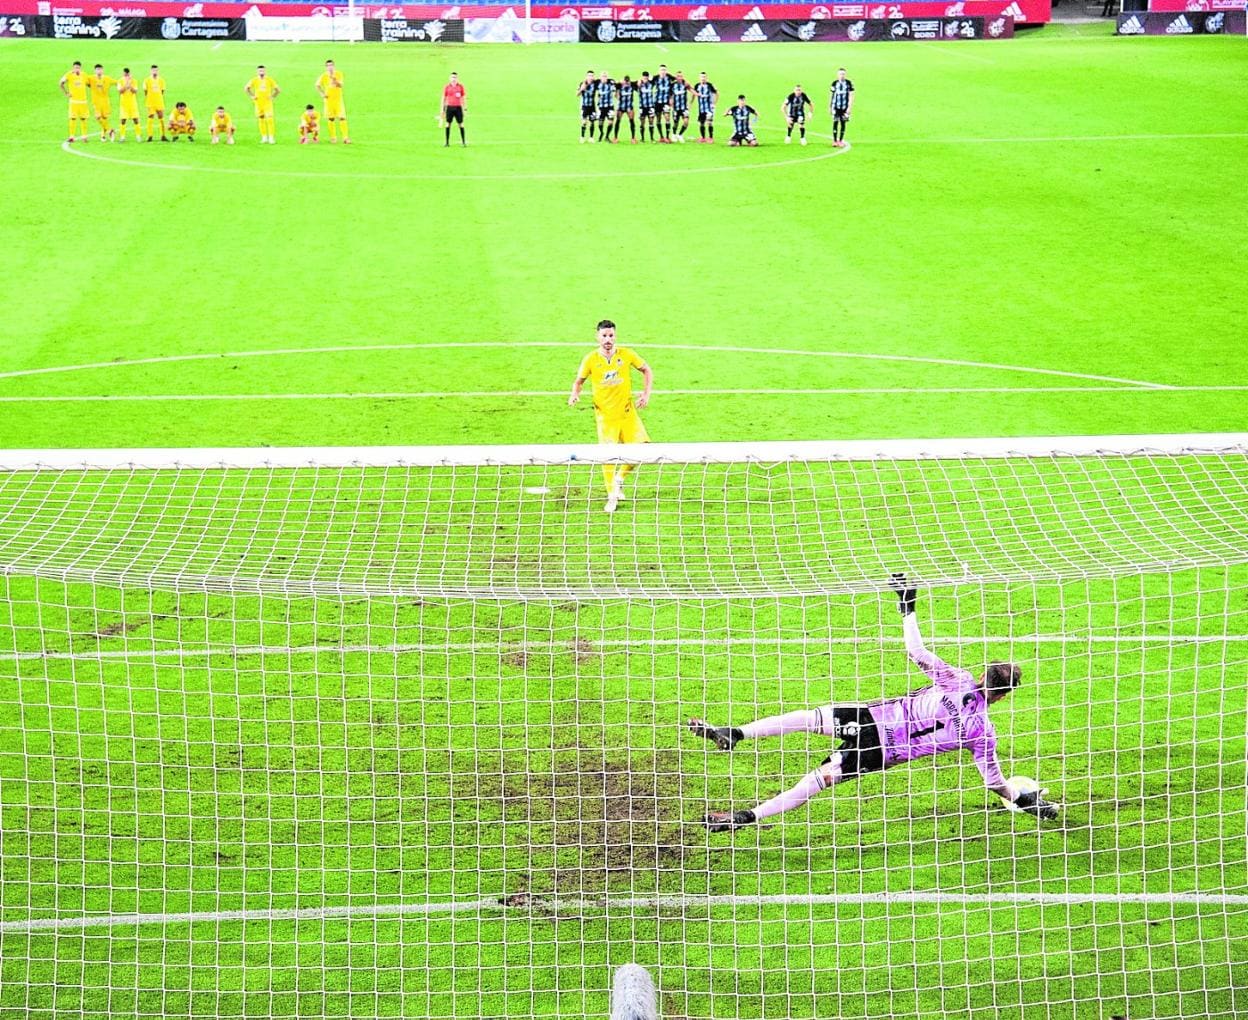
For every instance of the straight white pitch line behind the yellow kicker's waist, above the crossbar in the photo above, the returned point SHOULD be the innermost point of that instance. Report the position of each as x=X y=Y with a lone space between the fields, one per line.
x=552 y=394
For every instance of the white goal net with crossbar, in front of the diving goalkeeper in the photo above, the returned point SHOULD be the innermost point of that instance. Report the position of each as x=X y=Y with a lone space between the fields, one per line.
x=366 y=733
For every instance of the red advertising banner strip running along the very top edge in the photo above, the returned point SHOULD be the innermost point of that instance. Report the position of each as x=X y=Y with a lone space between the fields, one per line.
x=1021 y=12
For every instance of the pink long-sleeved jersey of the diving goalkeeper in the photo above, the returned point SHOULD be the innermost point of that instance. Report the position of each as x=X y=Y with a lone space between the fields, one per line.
x=950 y=715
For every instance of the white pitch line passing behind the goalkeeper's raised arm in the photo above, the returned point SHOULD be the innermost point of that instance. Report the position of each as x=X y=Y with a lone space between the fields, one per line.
x=598 y=646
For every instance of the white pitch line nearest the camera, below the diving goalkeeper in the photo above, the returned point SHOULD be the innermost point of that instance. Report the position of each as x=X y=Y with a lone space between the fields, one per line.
x=610 y=905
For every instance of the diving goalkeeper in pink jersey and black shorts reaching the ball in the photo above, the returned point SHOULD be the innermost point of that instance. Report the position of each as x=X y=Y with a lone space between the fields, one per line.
x=949 y=715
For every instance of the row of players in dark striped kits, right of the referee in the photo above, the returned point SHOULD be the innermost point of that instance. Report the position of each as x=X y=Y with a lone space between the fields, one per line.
x=663 y=104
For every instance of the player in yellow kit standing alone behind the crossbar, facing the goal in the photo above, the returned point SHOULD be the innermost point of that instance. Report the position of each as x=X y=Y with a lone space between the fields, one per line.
x=610 y=369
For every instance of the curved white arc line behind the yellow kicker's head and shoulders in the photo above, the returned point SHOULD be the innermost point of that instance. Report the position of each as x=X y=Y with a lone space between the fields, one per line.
x=583 y=346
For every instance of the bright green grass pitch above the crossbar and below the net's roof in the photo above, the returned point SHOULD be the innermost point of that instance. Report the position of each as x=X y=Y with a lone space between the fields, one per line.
x=1043 y=237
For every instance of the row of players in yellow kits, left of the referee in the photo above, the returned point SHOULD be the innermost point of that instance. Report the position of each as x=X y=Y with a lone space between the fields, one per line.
x=97 y=88
